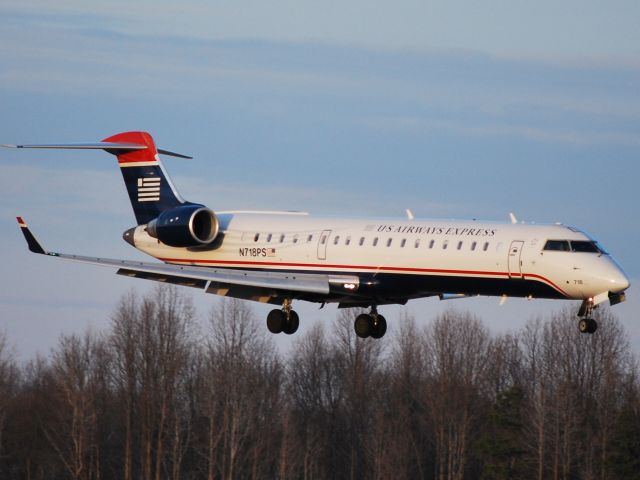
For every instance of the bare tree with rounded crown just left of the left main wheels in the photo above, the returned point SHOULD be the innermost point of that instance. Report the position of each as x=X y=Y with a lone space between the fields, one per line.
x=243 y=378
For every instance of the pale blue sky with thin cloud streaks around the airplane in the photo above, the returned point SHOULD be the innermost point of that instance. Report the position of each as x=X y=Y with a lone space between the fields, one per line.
x=365 y=109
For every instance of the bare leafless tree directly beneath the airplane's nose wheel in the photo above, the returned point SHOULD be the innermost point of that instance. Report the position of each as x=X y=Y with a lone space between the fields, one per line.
x=574 y=383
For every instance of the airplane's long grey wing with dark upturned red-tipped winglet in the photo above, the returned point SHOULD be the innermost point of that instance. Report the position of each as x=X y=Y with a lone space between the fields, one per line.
x=254 y=285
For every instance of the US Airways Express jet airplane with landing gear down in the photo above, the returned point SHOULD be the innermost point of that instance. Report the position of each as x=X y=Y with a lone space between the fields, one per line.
x=279 y=257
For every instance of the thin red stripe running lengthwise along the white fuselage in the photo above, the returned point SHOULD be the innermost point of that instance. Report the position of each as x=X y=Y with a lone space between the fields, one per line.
x=362 y=267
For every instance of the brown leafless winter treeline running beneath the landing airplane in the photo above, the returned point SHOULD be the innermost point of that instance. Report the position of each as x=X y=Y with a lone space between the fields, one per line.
x=162 y=396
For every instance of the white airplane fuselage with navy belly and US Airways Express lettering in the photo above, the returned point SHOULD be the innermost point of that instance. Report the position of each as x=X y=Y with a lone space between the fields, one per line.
x=402 y=259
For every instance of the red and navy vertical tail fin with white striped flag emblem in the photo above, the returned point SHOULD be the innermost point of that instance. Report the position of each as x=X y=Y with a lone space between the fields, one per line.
x=149 y=187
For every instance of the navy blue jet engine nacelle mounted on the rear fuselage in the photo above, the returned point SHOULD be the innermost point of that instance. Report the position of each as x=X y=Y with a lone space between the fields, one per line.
x=186 y=226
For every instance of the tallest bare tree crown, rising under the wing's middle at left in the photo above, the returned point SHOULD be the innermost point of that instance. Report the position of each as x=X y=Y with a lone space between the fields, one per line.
x=152 y=341
